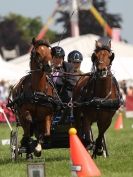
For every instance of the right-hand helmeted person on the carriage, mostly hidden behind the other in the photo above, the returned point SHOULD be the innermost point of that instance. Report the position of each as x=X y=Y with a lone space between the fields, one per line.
x=76 y=58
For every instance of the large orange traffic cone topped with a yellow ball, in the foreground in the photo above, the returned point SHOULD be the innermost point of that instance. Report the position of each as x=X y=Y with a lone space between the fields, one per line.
x=82 y=163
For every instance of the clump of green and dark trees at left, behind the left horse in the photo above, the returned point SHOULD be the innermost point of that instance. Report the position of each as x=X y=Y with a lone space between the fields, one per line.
x=19 y=30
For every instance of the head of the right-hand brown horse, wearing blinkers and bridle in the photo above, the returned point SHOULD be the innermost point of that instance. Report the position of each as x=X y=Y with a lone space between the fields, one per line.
x=102 y=57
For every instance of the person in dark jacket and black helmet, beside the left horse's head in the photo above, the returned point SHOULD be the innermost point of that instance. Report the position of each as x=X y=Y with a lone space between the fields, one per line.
x=63 y=83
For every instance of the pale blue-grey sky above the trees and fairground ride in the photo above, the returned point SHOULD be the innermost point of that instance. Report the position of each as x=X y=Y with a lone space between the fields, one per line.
x=44 y=8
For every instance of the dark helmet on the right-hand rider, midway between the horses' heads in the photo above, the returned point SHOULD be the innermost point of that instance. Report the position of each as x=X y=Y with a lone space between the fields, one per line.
x=75 y=57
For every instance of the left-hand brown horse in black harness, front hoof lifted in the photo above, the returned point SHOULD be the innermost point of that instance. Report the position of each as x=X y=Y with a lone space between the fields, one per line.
x=31 y=98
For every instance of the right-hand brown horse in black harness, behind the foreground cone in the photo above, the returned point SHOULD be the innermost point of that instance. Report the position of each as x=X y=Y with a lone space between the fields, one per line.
x=97 y=96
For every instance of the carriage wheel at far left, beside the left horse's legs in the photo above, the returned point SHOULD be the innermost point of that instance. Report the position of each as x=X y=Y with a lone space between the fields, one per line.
x=14 y=145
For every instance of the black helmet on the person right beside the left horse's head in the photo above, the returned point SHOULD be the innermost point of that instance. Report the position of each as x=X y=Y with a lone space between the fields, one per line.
x=57 y=51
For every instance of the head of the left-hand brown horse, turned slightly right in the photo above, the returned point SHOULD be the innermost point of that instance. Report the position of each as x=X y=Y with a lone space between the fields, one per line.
x=41 y=55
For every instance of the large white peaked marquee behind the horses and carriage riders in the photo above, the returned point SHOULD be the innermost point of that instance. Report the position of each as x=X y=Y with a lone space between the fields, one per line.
x=121 y=66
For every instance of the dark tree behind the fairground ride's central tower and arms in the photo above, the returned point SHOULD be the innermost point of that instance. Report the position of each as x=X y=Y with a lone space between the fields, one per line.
x=87 y=22
